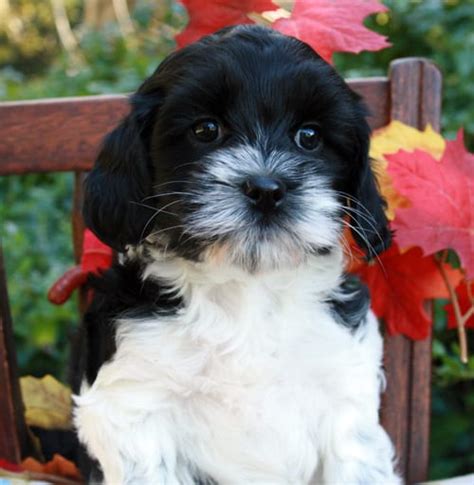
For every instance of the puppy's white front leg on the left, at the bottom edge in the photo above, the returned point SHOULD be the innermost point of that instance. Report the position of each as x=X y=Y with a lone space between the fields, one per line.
x=131 y=445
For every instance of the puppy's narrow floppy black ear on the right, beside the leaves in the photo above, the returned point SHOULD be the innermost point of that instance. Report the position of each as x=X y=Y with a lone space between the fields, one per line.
x=370 y=226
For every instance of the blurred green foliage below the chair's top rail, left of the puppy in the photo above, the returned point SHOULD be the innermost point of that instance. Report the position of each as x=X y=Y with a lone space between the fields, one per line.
x=37 y=246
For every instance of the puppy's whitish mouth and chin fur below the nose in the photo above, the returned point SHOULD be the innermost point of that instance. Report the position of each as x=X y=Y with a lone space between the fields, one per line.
x=251 y=239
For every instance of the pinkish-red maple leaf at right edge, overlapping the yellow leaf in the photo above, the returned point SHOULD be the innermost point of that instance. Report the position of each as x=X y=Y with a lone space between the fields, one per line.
x=441 y=193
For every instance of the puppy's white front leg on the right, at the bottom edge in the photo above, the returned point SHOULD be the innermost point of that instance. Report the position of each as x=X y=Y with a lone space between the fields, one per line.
x=358 y=453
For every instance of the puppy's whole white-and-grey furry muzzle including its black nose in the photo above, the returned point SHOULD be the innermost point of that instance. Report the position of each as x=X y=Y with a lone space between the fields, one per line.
x=255 y=212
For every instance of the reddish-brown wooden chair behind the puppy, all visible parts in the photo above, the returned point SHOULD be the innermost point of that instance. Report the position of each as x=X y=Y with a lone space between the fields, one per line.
x=63 y=135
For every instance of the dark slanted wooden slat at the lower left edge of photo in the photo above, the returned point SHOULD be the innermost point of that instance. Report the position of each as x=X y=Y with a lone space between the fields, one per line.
x=13 y=436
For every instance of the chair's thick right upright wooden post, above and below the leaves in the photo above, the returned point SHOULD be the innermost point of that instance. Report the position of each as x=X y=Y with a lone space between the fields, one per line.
x=415 y=93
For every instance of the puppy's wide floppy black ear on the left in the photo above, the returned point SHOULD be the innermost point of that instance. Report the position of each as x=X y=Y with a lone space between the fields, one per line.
x=120 y=180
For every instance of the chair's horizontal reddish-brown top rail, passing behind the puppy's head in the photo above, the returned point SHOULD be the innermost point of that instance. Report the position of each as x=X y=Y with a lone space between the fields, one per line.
x=64 y=134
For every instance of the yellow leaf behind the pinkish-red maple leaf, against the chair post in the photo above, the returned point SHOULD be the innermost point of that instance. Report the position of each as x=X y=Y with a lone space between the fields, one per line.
x=392 y=138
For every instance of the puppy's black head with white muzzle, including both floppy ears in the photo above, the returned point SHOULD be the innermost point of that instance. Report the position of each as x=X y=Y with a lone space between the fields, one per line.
x=244 y=146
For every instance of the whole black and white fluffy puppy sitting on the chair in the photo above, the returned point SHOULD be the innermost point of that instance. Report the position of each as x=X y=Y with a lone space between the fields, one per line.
x=227 y=345
